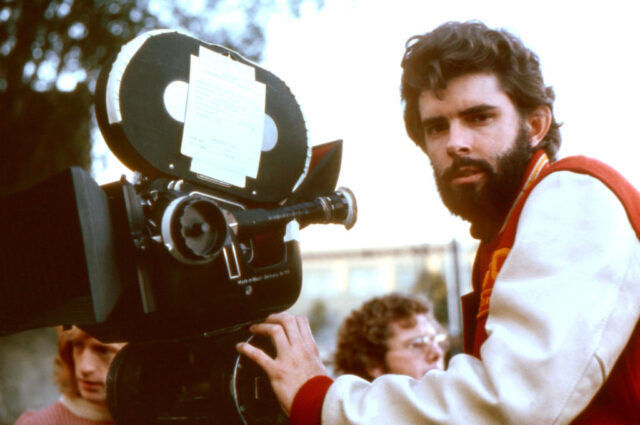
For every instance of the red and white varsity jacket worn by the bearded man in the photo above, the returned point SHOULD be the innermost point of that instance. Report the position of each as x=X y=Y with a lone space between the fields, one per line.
x=551 y=338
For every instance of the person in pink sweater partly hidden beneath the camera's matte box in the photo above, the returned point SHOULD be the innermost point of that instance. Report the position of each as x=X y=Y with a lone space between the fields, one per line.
x=80 y=371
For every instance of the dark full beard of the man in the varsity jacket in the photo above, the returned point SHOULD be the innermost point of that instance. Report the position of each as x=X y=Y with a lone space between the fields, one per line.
x=485 y=207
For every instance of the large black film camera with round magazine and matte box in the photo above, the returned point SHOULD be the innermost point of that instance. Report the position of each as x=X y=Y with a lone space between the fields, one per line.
x=202 y=243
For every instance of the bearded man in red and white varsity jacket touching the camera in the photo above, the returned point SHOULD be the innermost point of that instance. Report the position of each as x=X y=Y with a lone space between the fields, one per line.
x=550 y=327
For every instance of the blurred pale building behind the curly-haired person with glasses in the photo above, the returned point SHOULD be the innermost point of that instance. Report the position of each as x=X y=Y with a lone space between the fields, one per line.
x=336 y=282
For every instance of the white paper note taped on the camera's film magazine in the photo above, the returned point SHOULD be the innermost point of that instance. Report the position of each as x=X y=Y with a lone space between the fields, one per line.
x=224 y=119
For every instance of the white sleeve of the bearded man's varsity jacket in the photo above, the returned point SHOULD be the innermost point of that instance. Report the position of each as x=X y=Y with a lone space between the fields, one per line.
x=562 y=309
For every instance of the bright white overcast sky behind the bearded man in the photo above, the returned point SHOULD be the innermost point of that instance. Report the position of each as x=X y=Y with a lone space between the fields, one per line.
x=342 y=63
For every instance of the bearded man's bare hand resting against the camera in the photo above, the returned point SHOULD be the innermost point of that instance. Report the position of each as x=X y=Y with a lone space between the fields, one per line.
x=297 y=358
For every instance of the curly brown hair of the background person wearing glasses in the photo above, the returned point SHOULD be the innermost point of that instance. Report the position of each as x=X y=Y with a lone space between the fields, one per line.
x=362 y=338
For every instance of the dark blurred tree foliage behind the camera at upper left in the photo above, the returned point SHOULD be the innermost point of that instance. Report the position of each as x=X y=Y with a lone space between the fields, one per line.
x=51 y=52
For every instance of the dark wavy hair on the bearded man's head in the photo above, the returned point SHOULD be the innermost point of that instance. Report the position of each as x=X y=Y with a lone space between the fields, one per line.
x=460 y=48
